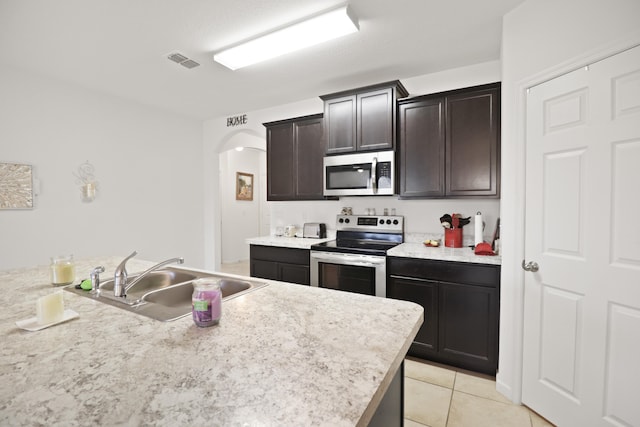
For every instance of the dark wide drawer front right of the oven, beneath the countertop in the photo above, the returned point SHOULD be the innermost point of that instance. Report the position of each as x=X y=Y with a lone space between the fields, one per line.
x=445 y=271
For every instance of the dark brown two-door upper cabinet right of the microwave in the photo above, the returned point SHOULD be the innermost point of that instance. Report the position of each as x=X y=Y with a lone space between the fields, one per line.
x=449 y=144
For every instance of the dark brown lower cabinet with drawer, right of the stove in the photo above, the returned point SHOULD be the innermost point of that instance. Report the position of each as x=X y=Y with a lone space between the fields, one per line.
x=461 y=303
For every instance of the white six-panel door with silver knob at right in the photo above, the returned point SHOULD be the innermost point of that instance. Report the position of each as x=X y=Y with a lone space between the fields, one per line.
x=581 y=362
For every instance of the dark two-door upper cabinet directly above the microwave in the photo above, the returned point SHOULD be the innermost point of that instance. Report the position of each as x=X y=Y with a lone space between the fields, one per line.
x=362 y=119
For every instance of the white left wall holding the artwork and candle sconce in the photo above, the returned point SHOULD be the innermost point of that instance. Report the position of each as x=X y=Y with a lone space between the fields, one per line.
x=147 y=163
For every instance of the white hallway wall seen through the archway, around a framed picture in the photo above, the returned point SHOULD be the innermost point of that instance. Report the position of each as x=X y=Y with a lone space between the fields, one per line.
x=240 y=218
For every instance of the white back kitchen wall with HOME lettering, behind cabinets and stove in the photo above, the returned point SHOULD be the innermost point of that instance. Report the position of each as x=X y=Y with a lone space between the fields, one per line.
x=421 y=216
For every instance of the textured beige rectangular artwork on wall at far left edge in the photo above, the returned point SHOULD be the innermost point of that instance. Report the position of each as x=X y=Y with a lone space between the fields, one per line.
x=16 y=186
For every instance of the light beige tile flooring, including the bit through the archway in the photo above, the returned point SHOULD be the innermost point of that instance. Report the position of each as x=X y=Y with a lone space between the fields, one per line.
x=442 y=396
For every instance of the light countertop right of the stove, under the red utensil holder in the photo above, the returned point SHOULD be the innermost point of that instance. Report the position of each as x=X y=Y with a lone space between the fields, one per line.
x=442 y=253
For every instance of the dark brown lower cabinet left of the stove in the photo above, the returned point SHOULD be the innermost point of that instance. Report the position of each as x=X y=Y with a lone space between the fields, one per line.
x=277 y=263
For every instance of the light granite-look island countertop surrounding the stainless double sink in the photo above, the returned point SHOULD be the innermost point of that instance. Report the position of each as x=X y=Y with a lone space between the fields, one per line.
x=282 y=355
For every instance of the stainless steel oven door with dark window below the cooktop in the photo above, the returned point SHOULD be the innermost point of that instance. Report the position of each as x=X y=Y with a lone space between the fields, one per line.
x=363 y=274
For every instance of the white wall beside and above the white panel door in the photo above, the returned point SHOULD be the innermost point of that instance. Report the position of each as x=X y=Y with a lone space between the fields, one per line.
x=541 y=39
